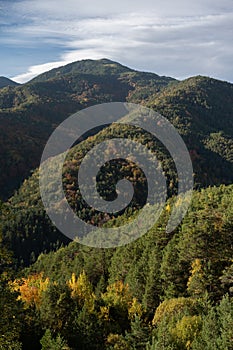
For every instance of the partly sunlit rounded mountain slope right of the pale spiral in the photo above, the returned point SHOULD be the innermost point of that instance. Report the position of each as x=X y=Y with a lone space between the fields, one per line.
x=201 y=109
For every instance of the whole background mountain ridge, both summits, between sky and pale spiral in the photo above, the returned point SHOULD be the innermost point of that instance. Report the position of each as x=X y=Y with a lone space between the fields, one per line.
x=30 y=112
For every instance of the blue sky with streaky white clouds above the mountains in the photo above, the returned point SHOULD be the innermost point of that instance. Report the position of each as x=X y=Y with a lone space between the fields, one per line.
x=178 y=38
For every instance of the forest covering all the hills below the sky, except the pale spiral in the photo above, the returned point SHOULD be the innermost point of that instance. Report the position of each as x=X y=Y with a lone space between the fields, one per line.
x=163 y=291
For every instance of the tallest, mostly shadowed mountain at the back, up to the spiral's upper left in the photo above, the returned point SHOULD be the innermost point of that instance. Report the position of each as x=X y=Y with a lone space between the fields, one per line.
x=29 y=113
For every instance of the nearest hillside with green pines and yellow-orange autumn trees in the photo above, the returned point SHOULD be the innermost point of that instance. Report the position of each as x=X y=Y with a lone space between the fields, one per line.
x=164 y=291
